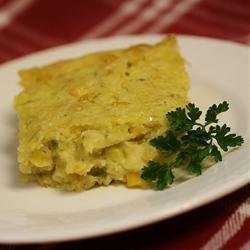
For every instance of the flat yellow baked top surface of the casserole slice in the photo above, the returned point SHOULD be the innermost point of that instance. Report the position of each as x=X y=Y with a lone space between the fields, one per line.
x=103 y=98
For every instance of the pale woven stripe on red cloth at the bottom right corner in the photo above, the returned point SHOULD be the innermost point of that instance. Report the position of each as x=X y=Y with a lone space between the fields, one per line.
x=232 y=225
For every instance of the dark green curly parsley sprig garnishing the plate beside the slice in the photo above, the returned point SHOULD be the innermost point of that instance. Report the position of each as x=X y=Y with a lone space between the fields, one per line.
x=189 y=142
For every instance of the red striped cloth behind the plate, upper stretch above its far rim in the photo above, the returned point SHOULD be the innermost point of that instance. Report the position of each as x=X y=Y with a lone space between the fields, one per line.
x=31 y=25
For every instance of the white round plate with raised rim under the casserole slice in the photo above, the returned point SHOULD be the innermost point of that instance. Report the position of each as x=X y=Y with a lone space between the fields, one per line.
x=219 y=71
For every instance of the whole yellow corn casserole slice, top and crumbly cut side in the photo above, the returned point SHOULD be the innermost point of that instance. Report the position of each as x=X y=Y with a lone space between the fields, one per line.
x=87 y=121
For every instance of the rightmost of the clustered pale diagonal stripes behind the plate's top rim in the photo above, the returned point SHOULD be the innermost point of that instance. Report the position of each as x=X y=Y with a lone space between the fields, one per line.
x=148 y=14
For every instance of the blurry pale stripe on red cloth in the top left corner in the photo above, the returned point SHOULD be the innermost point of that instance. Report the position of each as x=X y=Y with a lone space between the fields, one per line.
x=11 y=10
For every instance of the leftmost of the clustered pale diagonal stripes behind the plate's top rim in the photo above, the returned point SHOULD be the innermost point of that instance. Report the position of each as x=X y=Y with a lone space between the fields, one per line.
x=126 y=9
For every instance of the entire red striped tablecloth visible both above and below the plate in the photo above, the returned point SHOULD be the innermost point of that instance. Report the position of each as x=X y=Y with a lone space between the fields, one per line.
x=32 y=25
